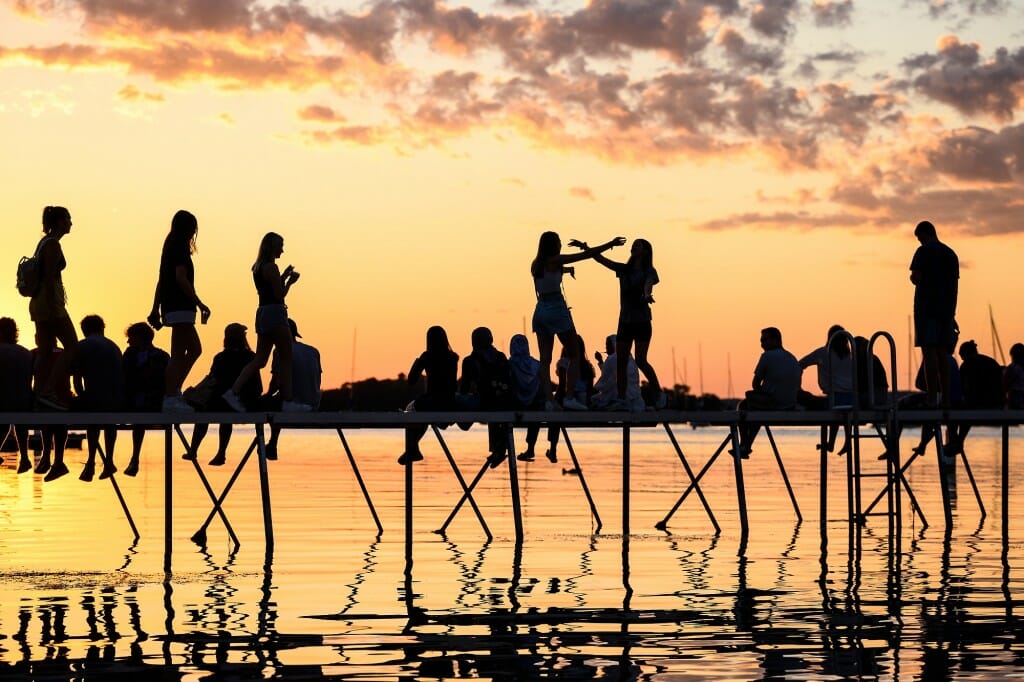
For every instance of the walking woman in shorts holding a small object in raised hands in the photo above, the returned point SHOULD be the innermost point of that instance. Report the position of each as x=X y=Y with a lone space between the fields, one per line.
x=272 y=324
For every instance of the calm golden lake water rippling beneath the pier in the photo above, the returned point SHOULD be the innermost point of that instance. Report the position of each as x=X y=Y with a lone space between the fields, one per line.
x=78 y=600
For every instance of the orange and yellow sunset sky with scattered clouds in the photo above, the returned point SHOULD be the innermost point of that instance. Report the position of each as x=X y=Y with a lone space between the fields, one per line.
x=777 y=154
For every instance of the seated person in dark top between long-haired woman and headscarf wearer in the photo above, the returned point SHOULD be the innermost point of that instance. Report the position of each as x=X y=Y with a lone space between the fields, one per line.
x=486 y=375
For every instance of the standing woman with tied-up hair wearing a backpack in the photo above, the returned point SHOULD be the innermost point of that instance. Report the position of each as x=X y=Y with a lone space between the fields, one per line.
x=49 y=309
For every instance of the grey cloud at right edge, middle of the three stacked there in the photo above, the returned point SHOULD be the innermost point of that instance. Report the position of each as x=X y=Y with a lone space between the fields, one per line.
x=980 y=155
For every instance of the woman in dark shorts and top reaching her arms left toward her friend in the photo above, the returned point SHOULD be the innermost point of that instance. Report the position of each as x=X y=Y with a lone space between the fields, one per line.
x=637 y=278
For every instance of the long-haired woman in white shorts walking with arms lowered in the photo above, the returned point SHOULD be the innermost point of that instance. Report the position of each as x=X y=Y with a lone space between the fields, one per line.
x=176 y=304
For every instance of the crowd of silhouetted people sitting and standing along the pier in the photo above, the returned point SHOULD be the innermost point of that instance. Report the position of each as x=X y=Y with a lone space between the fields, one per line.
x=145 y=378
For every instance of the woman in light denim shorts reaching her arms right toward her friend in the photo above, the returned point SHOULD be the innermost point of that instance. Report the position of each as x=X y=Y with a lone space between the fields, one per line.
x=551 y=317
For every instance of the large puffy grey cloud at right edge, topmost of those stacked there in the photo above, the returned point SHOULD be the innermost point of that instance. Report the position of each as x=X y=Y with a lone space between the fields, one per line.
x=959 y=77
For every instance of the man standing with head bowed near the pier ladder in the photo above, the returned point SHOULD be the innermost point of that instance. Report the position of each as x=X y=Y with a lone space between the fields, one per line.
x=935 y=274
